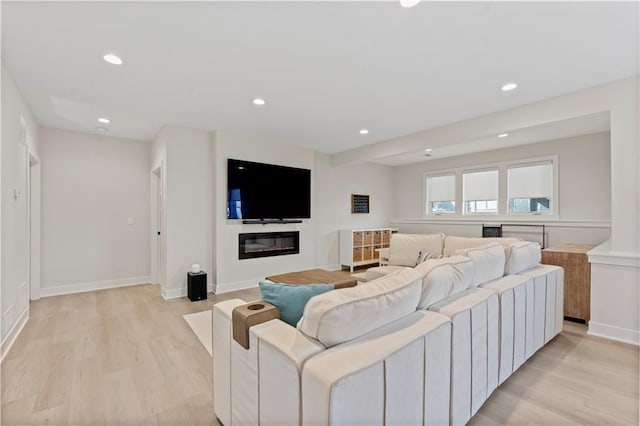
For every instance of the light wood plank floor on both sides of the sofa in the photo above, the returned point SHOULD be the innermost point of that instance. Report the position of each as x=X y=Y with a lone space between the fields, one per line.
x=125 y=356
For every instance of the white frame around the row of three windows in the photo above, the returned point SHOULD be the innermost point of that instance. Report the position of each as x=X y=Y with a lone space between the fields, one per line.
x=503 y=201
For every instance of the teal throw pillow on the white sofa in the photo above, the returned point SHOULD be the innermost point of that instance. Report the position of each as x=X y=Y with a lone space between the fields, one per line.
x=291 y=299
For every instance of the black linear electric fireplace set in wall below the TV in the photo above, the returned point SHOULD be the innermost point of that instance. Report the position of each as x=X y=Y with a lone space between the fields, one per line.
x=264 y=244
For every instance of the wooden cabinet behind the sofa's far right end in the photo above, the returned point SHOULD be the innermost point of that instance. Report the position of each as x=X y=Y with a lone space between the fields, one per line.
x=577 y=278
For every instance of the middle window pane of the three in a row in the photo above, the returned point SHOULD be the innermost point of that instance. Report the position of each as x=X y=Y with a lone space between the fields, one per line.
x=480 y=192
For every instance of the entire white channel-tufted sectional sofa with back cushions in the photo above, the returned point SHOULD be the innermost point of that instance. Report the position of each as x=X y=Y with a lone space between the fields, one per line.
x=423 y=345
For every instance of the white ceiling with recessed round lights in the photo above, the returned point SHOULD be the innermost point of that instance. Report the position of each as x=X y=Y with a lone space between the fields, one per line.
x=326 y=69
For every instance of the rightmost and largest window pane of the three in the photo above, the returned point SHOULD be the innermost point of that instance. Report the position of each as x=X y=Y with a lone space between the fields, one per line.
x=530 y=188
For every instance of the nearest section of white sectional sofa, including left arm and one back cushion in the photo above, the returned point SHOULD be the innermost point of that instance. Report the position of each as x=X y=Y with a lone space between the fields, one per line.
x=345 y=361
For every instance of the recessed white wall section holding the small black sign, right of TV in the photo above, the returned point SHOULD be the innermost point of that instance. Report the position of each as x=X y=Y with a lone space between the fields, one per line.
x=333 y=186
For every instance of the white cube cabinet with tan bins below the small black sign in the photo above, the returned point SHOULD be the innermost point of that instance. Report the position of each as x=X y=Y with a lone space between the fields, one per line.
x=357 y=246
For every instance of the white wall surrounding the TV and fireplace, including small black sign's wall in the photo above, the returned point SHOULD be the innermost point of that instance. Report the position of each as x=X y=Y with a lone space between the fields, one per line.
x=195 y=228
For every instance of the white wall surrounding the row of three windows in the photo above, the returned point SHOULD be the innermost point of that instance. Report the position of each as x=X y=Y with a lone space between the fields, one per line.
x=584 y=180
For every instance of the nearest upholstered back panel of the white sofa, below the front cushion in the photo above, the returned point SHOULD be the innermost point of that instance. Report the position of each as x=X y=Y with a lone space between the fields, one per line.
x=396 y=375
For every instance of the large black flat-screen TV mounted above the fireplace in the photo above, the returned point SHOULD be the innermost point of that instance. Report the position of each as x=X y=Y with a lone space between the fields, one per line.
x=267 y=191
